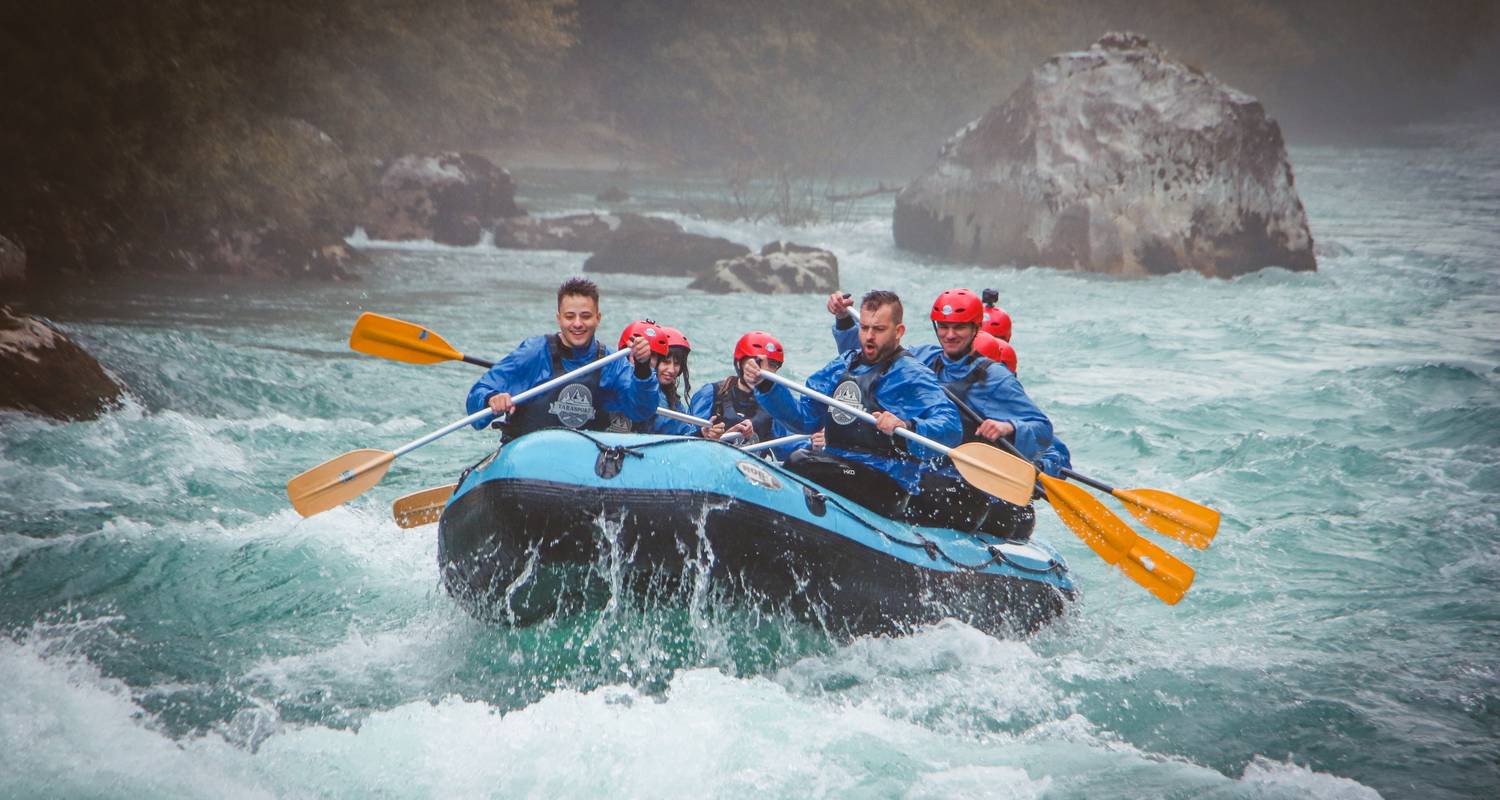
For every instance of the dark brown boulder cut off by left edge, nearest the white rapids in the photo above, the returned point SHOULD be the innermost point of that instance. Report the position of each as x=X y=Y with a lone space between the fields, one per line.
x=43 y=371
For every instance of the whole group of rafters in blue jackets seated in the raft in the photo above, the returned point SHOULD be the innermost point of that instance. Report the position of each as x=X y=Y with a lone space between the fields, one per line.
x=962 y=389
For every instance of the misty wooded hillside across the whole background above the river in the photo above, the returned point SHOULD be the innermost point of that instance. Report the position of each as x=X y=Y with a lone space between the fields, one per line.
x=133 y=125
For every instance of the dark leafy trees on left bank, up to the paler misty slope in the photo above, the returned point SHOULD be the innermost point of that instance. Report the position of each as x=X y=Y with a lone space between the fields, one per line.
x=140 y=125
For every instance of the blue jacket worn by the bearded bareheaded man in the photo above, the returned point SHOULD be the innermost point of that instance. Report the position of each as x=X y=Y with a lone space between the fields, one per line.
x=908 y=391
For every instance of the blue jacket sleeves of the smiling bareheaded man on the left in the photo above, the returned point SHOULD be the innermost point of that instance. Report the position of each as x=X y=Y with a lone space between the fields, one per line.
x=530 y=365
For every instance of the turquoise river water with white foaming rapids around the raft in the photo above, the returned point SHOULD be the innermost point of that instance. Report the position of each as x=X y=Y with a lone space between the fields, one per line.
x=169 y=627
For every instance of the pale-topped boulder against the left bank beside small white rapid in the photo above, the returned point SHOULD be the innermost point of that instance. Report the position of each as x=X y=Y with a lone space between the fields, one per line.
x=448 y=197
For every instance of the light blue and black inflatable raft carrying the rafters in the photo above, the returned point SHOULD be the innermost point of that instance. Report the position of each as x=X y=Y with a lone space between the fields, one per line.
x=559 y=516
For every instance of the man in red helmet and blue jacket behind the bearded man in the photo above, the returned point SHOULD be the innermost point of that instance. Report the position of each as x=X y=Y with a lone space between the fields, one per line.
x=1001 y=406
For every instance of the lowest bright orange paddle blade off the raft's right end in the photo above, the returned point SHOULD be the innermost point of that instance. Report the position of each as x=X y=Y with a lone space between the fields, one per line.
x=1112 y=540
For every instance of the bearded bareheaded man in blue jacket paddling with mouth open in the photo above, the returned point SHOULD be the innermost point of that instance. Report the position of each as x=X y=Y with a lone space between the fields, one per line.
x=884 y=380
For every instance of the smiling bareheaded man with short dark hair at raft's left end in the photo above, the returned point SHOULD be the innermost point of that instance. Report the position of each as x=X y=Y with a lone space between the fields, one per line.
x=583 y=405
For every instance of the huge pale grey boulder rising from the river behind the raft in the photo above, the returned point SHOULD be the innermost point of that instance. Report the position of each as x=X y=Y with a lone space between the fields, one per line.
x=1114 y=160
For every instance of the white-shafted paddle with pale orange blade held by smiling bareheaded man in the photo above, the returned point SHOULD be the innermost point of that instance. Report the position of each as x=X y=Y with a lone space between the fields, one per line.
x=352 y=475
